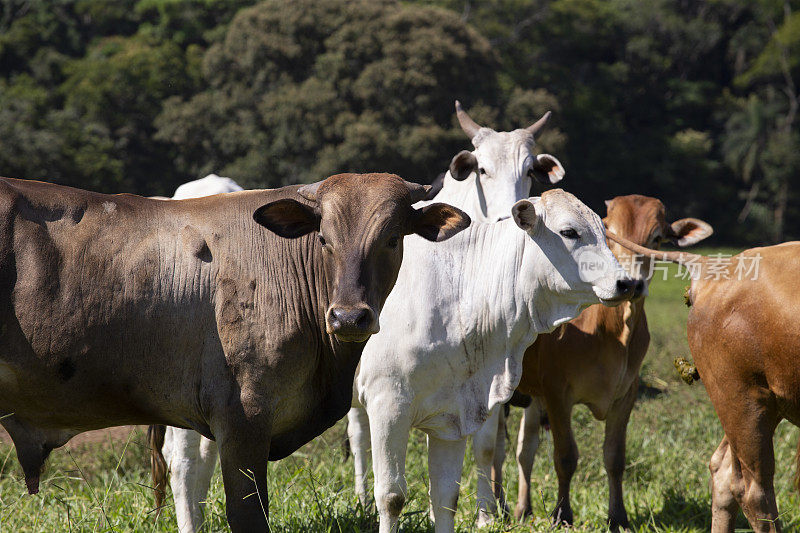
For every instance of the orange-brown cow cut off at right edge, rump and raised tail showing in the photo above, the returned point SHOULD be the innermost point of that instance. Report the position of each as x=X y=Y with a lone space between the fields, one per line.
x=745 y=340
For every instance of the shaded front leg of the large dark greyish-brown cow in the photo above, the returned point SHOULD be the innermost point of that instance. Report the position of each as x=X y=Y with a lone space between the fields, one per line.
x=244 y=474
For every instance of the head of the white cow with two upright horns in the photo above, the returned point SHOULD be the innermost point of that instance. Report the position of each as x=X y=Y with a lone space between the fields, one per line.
x=501 y=167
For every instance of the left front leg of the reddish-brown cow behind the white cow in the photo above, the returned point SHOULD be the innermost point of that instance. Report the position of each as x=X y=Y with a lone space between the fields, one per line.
x=565 y=455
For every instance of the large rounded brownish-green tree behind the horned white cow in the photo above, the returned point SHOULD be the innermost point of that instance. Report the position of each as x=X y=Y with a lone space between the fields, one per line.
x=303 y=90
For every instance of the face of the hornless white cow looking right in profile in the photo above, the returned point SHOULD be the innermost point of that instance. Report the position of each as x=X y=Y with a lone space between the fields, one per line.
x=581 y=268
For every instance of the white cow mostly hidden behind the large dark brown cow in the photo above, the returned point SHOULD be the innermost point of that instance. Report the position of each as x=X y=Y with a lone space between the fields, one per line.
x=190 y=457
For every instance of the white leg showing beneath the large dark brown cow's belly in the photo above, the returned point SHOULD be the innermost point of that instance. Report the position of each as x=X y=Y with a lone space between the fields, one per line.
x=191 y=458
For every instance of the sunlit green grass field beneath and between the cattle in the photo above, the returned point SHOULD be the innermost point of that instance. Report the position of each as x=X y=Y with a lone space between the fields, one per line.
x=672 y=433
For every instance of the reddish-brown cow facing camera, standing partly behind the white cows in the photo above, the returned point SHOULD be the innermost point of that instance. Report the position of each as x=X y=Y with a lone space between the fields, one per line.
x=594 y=360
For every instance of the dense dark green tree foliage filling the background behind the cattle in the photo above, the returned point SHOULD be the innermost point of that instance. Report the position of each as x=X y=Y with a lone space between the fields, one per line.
x=693 y=101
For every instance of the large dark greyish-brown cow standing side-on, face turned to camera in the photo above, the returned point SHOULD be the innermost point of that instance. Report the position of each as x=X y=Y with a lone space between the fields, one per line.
x=126 y=310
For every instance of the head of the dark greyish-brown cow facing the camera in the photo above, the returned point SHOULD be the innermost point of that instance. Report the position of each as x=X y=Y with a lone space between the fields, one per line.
x=360 y=221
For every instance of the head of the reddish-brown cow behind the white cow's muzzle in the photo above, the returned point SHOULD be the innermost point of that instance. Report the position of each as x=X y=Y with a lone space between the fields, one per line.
x=642 y=220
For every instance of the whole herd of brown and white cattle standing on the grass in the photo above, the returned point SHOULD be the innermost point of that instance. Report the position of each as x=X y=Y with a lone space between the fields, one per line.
x=243 y=324
